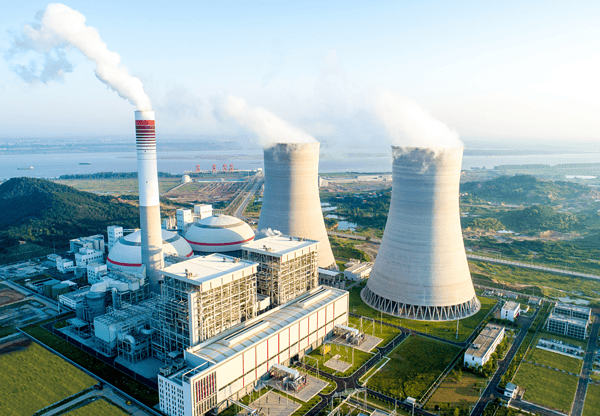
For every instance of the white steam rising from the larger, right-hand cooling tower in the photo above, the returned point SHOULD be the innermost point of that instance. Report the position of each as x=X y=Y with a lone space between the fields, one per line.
x=409 y=125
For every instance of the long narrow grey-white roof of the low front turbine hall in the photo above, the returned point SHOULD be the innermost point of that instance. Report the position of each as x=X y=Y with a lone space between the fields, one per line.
x=258 y=329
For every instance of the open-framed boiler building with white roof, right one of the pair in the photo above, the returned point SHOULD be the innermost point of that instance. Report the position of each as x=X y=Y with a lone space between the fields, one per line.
x=288 y=266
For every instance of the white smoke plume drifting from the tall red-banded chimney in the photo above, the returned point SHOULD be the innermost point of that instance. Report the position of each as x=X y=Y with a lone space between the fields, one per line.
x=60 y=28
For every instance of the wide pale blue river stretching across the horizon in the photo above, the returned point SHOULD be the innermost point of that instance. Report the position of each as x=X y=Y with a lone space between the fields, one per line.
x=52 y=165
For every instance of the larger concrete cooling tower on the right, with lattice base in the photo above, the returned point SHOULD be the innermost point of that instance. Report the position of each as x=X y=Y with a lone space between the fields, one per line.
x=421 y=269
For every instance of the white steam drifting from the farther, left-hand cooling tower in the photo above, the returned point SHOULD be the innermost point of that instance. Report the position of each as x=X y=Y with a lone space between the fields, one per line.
x=269 y=128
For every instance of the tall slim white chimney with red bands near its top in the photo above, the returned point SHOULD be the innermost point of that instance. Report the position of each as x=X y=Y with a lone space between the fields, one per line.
x=145 y=138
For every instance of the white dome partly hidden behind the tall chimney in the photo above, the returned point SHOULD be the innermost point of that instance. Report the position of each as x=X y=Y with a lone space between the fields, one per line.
x=127 y=252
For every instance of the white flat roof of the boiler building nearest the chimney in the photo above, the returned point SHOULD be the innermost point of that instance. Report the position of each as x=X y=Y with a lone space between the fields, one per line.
x=210 y=270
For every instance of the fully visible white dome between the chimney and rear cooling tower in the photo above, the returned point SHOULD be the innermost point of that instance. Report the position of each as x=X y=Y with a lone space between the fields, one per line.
x=218 y=234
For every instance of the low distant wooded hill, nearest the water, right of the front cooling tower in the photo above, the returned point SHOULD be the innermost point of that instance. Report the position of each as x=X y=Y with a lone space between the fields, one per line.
x=525 y=189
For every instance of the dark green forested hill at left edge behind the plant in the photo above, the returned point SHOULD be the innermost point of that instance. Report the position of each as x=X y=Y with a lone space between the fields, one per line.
x=45 y=213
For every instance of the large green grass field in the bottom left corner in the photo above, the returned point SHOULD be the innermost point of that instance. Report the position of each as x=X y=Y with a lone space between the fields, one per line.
x=34 y=378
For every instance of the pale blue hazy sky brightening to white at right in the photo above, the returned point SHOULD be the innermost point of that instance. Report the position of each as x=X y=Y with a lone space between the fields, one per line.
x=521 y=71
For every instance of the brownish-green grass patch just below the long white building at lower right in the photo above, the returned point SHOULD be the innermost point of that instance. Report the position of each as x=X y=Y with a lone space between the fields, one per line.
x=453 y=393
